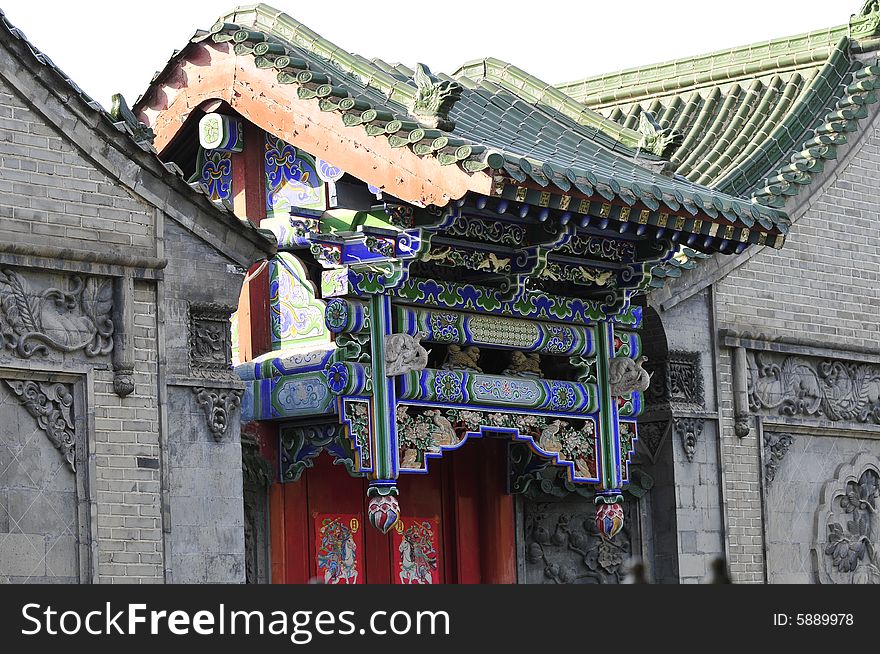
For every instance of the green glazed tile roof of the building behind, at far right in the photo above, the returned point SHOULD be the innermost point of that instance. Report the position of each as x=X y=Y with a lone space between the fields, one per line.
x=756 y=121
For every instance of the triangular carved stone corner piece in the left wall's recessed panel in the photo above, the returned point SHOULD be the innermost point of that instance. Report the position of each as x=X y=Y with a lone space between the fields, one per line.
x=51 y=404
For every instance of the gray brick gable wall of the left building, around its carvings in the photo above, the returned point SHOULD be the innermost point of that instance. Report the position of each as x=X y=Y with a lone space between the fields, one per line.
x=67 y=180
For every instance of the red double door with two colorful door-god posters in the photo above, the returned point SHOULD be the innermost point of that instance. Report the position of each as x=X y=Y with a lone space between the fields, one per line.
x=456 y=525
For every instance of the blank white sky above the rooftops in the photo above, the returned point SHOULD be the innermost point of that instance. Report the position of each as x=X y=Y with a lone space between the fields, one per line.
x=109 y=47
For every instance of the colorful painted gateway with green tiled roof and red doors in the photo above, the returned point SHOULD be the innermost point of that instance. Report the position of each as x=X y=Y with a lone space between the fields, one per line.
x=450 y=318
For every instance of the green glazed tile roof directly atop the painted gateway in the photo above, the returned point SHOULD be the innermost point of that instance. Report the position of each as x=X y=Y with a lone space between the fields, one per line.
x=506 y=122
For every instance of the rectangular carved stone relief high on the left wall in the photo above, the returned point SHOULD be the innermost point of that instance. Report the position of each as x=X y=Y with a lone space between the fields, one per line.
x=77 y=318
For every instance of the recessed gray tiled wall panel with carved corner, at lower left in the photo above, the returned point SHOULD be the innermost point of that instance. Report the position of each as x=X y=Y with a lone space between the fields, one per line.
x=44 y=507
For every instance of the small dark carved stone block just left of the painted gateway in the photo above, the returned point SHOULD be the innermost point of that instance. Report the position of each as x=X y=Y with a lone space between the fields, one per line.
x=210 y=341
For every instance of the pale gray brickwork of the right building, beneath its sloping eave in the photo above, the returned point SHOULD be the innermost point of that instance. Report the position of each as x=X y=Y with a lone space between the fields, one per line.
x=823 y=285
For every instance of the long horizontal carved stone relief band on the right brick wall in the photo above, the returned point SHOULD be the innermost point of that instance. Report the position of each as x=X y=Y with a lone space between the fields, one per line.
x=806 y=387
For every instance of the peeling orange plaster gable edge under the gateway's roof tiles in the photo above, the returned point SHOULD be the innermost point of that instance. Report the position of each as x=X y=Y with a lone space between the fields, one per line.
x=207 y=71
